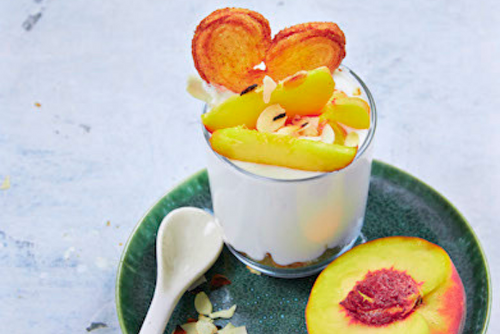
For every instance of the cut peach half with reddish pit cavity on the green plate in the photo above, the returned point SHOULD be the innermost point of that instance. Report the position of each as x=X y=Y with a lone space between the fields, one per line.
x=391 y=285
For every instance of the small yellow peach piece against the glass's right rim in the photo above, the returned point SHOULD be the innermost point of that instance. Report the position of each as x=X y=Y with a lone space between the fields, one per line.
x=351 y=111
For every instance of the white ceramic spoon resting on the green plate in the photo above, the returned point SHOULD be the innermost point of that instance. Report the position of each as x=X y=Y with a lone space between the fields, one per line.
x=188 y=243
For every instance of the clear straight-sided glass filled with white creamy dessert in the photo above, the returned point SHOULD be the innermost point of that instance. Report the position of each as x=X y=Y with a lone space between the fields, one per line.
x=292 y=227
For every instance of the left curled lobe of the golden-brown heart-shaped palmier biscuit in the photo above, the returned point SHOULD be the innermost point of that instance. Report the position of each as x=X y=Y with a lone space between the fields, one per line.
x=228 y=44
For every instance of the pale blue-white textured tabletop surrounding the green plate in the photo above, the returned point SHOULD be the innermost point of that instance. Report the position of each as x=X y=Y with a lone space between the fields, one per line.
x=116 y=129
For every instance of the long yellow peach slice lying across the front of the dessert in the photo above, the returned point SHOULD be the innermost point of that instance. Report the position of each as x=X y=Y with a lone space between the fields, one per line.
x=273 y=149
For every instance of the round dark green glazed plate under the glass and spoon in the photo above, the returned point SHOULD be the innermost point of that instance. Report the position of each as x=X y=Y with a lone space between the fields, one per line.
x=398 y=204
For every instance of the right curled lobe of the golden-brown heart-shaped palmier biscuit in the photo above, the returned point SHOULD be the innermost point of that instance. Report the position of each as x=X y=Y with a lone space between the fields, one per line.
x=305 y=47
